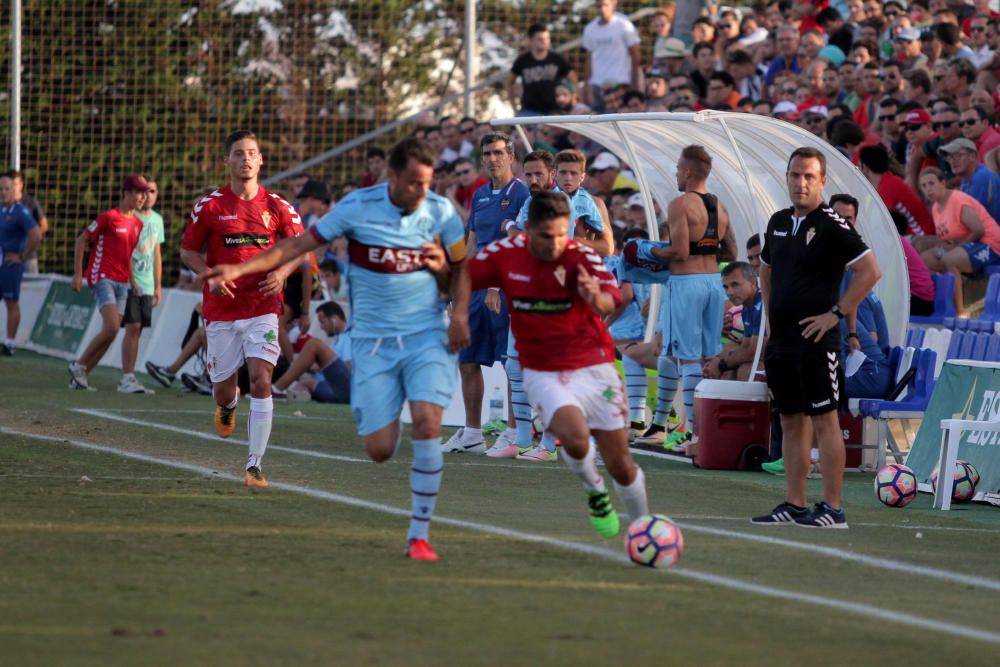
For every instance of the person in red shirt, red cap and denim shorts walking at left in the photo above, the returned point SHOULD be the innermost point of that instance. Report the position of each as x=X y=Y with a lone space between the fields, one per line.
x=112 y=237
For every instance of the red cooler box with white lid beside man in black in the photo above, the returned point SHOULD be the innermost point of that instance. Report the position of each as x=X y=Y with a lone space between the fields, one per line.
x=734 y=424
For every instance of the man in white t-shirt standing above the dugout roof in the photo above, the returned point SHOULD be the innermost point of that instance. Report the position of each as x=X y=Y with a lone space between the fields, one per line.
x=612 y=43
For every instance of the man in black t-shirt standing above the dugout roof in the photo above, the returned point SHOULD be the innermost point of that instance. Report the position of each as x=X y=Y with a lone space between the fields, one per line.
x=539 y=69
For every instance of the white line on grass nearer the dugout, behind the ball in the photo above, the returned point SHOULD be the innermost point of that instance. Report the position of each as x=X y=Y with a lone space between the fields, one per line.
x=865 y=559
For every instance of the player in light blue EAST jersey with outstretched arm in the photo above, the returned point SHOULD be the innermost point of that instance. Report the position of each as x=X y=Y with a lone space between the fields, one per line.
x=399 y=345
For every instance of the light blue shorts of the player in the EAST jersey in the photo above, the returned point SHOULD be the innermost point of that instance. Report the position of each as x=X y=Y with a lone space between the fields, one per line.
x=387 y=371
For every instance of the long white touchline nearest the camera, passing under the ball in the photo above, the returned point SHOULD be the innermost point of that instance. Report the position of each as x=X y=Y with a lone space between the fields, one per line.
x=612 y=555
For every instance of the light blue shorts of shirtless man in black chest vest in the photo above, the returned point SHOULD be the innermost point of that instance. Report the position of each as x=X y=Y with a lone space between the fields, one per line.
x=692 y=314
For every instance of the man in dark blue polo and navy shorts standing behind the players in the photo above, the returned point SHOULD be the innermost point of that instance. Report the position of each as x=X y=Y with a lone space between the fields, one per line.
x=494 y=208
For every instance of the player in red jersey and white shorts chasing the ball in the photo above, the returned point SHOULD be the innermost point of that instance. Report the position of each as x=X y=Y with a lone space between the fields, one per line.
x=557 y=292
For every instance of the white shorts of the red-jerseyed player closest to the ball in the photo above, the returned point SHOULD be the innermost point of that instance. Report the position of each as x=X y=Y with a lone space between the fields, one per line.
x=596 y=390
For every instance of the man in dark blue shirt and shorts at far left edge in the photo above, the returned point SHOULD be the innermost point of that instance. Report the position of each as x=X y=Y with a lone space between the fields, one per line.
x=19 y=237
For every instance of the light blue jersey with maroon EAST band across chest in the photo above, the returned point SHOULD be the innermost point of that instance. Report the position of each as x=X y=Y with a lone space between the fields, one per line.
x=391 y=292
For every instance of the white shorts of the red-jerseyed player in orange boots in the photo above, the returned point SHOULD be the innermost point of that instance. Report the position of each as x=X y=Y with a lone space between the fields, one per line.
x=230 y=343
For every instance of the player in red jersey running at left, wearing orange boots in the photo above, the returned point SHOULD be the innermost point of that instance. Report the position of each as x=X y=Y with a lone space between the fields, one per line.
x=233 y=224
